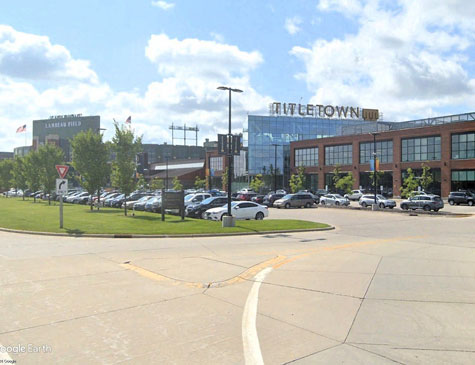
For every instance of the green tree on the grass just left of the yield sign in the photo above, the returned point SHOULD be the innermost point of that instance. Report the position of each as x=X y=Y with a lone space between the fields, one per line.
x=49 y=156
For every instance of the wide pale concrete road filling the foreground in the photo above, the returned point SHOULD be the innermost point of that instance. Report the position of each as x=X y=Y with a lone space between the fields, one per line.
x=380 y=288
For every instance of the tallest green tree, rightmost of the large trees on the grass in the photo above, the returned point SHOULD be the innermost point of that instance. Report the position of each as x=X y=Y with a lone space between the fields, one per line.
x=126 y=146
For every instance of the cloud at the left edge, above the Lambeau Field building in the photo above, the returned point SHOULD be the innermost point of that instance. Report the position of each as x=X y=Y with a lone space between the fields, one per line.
x=33 y=57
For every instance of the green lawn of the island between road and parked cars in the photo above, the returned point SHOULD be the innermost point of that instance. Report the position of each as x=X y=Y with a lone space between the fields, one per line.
x=78 y=219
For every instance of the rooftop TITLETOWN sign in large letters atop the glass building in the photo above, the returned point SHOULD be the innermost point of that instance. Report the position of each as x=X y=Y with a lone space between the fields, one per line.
x=323 y=111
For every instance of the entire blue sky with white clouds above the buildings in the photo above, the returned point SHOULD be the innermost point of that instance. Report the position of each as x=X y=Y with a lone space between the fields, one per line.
x=161 y=62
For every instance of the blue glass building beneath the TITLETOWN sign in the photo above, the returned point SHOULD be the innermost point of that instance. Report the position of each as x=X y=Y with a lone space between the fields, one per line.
x=269 y=138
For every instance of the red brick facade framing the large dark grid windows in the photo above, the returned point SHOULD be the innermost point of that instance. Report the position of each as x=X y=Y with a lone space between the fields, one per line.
x=446 y=164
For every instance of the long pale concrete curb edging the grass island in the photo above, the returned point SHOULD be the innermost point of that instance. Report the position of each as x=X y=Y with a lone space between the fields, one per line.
x=196 y=235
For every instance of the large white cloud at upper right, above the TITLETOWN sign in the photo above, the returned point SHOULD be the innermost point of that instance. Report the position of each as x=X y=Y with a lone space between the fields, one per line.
x=407 y=60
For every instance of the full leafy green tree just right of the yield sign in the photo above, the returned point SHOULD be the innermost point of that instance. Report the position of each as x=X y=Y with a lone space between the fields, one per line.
x=90 y=156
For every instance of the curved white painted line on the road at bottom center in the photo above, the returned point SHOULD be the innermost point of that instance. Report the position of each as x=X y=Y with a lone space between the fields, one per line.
x=250 y=340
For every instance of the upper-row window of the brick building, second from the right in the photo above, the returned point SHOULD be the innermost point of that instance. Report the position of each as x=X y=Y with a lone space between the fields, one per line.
x=420 y=149
